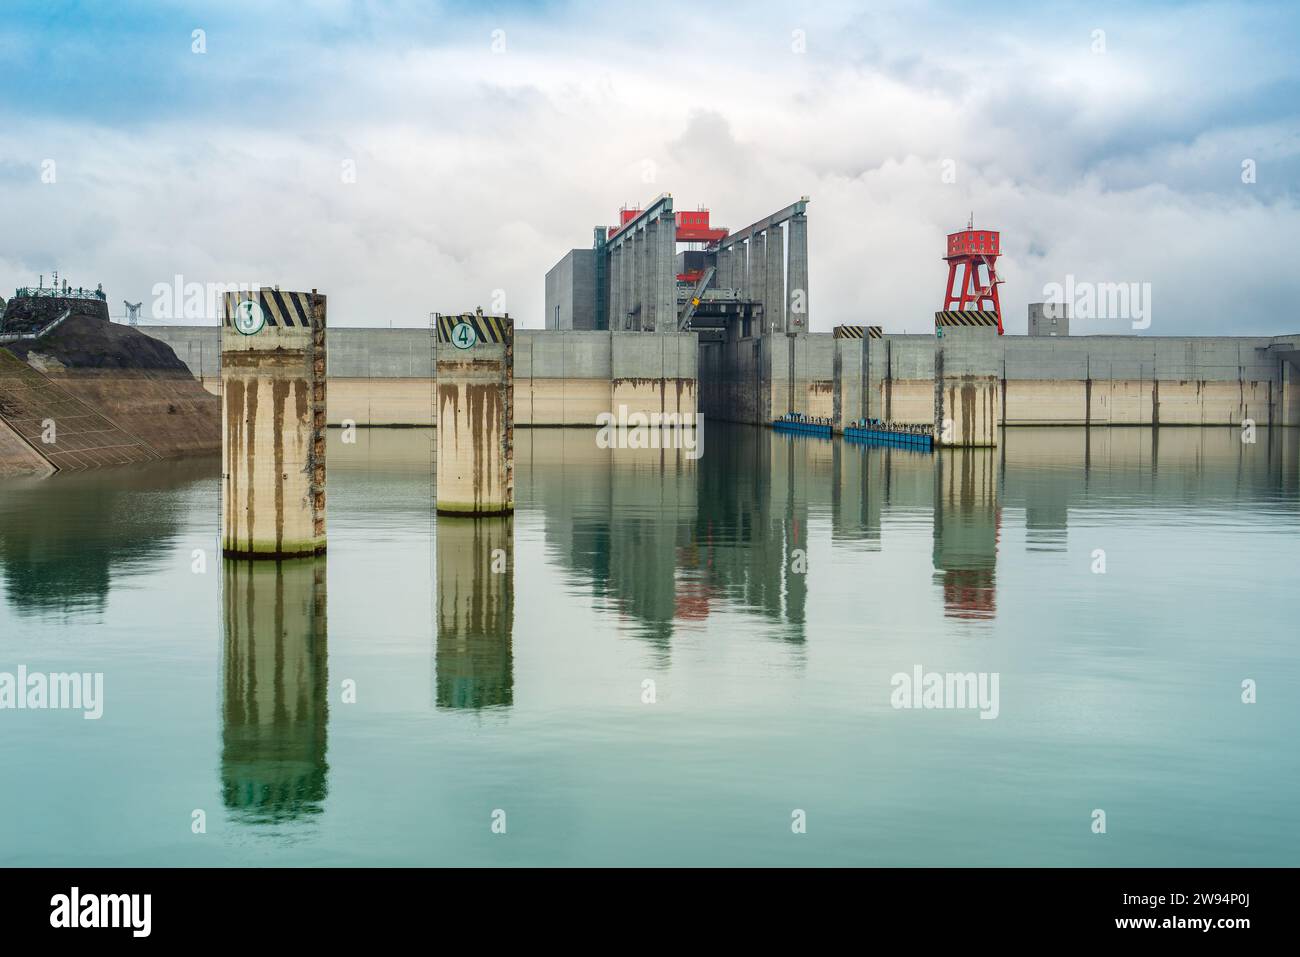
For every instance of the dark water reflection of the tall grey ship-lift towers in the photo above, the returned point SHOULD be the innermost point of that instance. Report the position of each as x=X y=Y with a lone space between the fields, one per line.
x=664 y=538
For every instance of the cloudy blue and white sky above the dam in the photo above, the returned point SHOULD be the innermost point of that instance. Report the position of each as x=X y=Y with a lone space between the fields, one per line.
x=409 y=158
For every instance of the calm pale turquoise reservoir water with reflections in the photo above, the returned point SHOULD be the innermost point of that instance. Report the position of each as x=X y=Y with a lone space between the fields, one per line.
x=523 y=692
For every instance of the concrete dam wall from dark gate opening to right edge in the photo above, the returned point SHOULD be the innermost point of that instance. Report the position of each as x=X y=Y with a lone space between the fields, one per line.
x=1087 y=380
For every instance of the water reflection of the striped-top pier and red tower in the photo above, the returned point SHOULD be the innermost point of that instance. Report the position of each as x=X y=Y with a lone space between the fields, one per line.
x=967 y=530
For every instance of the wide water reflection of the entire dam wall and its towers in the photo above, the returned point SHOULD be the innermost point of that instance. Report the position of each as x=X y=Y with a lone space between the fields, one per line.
x=668 y=542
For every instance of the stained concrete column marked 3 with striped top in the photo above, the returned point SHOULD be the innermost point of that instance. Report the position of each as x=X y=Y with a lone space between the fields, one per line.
x=274 y=425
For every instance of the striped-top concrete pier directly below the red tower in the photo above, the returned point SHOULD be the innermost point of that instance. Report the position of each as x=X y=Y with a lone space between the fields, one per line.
x=968 y=379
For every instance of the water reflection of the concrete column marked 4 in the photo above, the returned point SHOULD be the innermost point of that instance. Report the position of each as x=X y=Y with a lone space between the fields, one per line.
x=474 y=660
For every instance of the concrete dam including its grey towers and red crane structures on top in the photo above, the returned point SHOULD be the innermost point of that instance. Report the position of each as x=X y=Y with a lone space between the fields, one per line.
x=736 y=343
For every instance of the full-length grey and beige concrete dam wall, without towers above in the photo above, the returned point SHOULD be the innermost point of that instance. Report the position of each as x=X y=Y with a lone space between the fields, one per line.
x=383 y=378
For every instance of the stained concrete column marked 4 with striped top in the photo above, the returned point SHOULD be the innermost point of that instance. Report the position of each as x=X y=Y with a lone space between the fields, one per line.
x=476 y=417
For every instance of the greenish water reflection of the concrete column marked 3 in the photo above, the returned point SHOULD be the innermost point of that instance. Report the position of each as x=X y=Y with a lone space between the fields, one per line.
x=275 y=690
